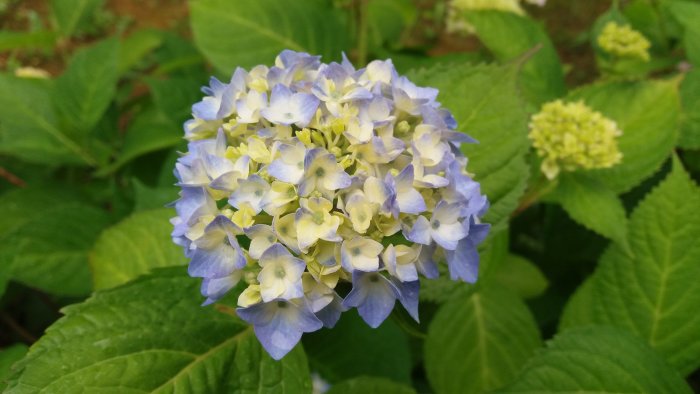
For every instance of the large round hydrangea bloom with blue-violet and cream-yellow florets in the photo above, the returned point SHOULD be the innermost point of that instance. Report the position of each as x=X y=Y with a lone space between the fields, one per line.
x=303 y=176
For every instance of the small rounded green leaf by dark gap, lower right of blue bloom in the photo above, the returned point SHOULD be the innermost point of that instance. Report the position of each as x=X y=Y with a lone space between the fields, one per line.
x=522 y=276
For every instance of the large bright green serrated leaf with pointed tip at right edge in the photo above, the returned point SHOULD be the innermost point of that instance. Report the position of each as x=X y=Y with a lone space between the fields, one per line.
x=654 y=293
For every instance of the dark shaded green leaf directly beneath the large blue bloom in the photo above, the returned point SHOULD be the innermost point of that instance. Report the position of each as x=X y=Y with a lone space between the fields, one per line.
x=353 y=349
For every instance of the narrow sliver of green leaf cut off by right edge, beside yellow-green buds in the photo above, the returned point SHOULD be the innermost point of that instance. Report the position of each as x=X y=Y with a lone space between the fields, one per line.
x=690 y=117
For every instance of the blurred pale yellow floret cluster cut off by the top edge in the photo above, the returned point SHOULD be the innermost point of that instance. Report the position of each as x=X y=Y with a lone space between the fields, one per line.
x=456 y=23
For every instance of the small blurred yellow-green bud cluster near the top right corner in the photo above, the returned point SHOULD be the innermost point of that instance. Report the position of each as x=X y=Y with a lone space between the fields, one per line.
x=624 y=42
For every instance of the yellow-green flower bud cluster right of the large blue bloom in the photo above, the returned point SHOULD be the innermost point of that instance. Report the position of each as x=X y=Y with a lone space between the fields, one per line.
x=572 y=136
